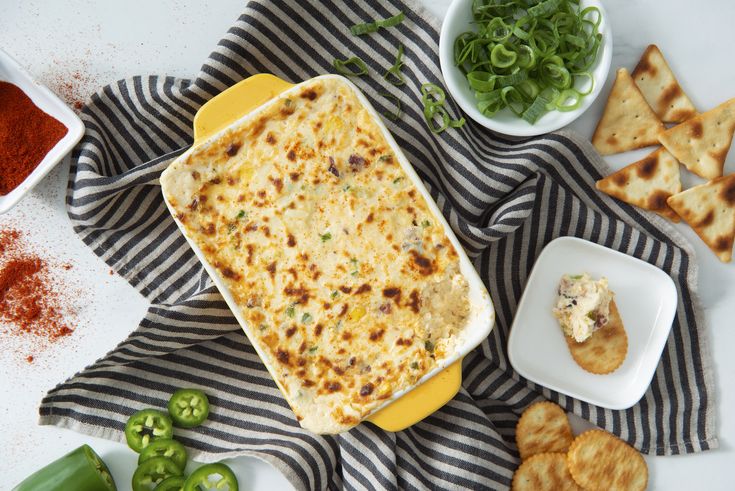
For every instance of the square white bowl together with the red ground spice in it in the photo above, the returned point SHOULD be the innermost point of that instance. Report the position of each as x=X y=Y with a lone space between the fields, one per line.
x=36 y=131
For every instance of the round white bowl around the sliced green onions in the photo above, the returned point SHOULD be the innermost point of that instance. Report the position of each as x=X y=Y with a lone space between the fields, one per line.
x=457 y=21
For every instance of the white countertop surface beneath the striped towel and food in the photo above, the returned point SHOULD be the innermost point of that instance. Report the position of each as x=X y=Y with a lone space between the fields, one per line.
x=76 y=45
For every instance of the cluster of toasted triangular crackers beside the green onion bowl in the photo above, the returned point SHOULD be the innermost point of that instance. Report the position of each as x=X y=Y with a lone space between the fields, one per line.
x=633 y=118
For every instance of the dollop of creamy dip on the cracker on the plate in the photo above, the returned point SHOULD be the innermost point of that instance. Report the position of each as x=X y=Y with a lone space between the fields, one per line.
x=583 y=305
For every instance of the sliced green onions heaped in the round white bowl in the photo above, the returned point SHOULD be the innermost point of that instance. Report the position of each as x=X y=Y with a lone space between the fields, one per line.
x=520 y=48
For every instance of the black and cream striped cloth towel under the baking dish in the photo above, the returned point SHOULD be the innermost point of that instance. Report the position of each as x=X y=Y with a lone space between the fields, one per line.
x=505 y=200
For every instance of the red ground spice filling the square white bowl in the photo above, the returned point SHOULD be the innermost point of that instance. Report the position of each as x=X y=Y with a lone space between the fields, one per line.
x=27 y=134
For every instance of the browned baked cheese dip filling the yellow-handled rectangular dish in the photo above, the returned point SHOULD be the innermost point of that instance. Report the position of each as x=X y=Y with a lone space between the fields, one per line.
x=349 y=286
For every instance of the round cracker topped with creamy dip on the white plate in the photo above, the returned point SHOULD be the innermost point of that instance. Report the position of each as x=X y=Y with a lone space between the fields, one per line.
x=592 y=326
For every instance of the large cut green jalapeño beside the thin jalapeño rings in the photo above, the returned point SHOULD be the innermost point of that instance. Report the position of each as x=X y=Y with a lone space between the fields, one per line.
x=81 y=470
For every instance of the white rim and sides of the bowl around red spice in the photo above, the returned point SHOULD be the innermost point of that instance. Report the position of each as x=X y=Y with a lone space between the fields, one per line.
x=47 y=101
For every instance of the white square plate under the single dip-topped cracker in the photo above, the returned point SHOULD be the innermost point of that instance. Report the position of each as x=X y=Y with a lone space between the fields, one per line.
x=646 y=298
